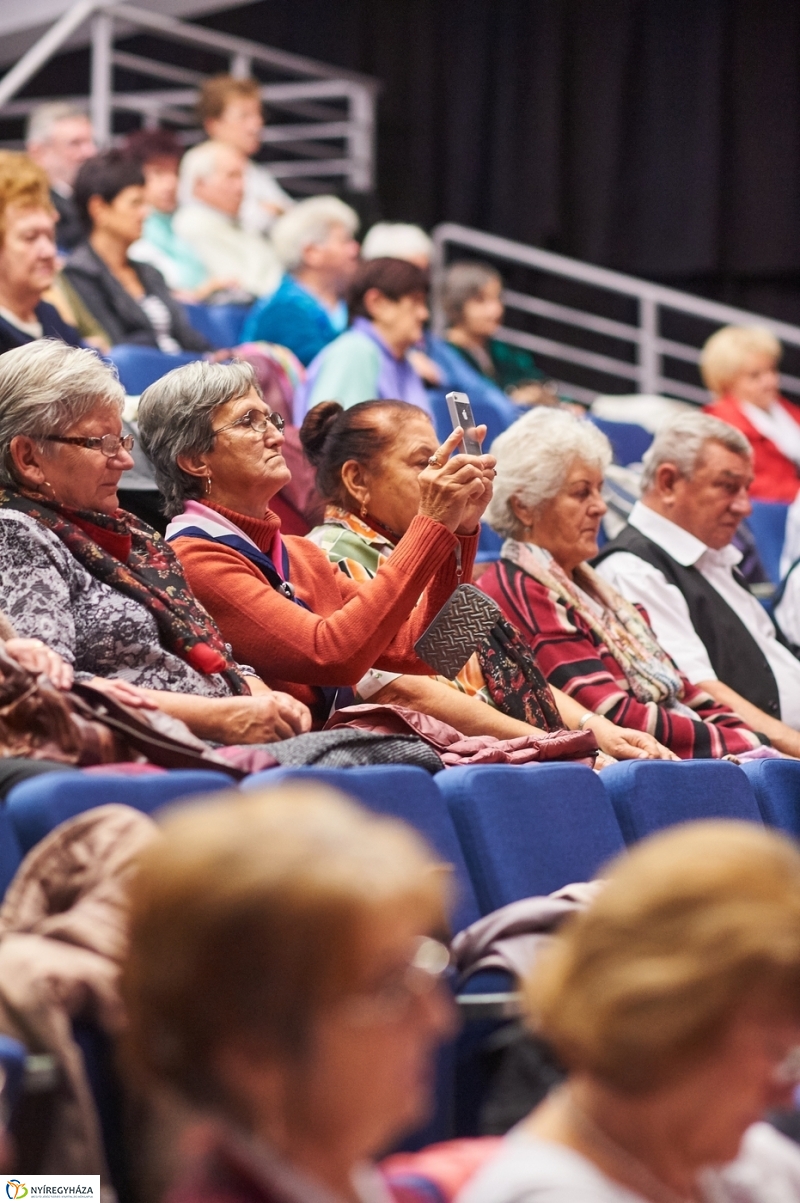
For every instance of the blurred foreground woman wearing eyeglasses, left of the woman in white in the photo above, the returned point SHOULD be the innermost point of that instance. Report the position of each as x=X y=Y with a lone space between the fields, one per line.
x=300 y=1016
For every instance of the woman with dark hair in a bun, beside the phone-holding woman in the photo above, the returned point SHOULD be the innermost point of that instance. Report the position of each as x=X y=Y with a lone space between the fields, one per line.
x=370 y=460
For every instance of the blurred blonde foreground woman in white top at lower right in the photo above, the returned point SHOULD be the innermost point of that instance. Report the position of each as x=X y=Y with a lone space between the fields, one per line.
x=674 y=1003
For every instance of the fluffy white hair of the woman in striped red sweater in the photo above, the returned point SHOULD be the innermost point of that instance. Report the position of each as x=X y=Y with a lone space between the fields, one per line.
x=535 y=457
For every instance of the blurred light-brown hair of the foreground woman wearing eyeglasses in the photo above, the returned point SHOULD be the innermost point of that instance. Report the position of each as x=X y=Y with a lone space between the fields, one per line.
x=248 y=918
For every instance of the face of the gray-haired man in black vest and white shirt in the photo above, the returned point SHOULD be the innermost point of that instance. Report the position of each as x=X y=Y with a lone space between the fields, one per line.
x=714 y=501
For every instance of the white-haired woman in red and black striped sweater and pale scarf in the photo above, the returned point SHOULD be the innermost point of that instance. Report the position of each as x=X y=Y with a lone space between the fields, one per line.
x=586 y=638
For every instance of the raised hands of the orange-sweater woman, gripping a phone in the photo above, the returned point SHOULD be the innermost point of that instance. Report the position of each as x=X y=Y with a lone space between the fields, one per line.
x=457 y=491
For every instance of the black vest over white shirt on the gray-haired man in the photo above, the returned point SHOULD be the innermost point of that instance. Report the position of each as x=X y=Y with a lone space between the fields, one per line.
x=734 y=654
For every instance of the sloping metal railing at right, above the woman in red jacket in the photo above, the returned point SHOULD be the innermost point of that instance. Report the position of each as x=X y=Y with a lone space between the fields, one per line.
x=648 y=372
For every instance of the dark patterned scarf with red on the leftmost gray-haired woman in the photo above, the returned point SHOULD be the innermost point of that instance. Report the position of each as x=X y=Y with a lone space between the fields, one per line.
x=133 y=559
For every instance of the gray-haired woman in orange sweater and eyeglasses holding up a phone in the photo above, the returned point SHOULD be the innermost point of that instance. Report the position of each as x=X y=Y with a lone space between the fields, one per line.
x=306 y=627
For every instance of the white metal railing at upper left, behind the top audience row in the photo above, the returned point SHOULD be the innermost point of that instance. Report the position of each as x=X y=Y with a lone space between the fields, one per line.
x=327 y=125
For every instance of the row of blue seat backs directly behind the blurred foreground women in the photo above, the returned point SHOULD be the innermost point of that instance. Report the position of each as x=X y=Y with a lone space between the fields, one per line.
x=508 y=832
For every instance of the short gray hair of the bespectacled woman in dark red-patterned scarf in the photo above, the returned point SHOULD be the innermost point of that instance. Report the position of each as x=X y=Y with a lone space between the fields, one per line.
x=46 y=388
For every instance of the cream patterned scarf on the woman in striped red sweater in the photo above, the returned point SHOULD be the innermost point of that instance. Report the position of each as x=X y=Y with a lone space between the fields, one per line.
x=647 y=667
